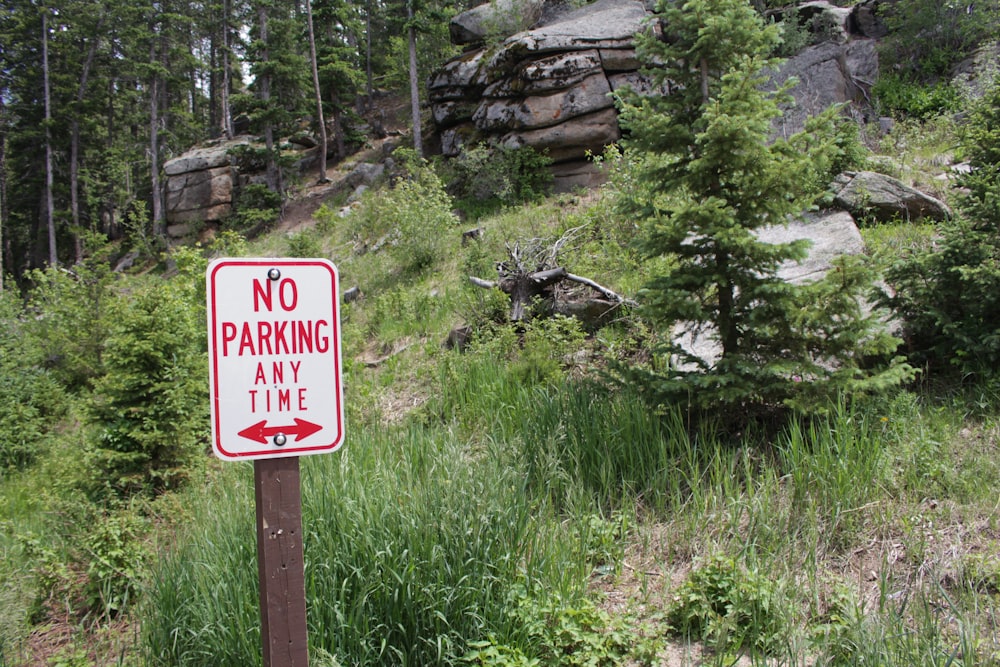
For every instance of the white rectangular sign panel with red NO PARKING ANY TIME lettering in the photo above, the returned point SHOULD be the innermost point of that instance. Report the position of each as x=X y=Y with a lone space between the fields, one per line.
x=274 y=357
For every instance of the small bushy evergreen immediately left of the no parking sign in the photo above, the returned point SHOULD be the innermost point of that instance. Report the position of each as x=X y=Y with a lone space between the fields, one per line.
x=150 y=408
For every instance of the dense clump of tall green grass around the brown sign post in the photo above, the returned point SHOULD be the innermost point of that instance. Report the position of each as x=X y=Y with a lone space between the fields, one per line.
x=411 y=549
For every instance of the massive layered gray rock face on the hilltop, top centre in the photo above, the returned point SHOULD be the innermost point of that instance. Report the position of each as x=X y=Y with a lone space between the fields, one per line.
x=548 y=88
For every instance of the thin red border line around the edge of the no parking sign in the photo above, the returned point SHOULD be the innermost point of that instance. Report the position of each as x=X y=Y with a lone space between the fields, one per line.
x=217 y=445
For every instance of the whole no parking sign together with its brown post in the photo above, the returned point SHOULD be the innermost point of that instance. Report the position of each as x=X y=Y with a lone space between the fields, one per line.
x=277 y=394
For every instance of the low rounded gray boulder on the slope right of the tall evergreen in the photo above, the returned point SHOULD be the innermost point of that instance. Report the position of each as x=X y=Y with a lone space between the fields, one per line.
x=874 y=195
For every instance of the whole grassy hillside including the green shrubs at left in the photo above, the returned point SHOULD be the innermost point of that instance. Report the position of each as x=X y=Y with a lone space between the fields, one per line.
x=503 y=504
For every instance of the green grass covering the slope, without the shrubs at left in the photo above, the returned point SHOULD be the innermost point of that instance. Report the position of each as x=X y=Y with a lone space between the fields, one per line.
x=498 y=501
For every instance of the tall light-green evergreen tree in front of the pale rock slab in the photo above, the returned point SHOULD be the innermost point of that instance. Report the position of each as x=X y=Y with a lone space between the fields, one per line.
x=712 y=178
